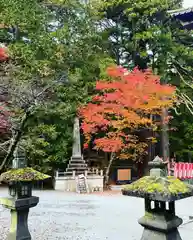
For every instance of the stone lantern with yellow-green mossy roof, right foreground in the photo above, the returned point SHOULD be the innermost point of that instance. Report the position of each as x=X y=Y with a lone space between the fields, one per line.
x=160 y=194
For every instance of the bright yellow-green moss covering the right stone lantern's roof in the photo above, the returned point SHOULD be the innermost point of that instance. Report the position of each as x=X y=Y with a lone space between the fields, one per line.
x=166 y=186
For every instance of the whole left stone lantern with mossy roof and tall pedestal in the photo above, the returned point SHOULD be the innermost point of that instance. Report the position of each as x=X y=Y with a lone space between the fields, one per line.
x=20 y=180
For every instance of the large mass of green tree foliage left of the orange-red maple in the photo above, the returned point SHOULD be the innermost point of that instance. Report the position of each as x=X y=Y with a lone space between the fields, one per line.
x=55 y=55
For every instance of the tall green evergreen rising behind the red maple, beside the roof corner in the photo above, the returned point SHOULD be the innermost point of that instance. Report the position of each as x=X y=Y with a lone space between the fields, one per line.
x=144 y=34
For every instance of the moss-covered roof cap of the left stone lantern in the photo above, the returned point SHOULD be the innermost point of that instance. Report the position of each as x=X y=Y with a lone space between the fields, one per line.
x=23 y=174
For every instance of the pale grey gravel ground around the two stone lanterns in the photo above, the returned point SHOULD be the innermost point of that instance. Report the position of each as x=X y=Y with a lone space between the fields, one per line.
x=71 y=216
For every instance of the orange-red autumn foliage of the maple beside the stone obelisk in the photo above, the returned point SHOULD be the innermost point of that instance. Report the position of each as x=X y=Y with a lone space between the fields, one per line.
x=123 y=105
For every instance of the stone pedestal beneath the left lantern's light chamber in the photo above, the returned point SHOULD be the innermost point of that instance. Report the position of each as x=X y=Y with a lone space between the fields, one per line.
x=19 y=216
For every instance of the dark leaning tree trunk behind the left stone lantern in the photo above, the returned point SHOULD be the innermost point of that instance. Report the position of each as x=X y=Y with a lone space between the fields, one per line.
x=15 y=139
